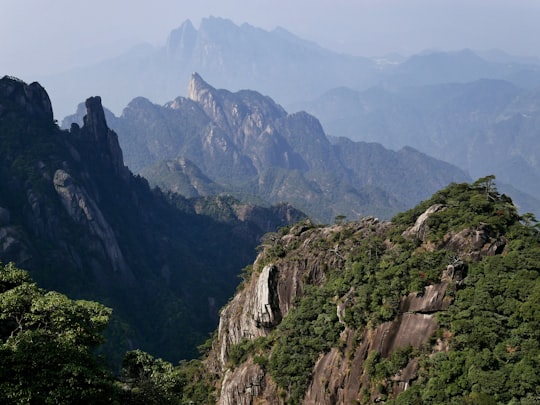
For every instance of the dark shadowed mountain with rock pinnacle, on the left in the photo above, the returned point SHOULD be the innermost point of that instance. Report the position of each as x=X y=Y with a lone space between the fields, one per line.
x=74 y=215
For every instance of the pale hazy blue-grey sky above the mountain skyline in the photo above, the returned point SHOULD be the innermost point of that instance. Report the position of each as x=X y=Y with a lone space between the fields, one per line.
x=43 y=36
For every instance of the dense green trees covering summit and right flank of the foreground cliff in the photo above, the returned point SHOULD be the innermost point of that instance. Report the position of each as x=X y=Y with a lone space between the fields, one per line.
x=492 y=327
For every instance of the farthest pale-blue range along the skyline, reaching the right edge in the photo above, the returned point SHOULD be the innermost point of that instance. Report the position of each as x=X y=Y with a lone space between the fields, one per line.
x=277 y=63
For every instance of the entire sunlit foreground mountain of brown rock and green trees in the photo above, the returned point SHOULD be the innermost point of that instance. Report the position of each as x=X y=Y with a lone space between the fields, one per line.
x=437 y=306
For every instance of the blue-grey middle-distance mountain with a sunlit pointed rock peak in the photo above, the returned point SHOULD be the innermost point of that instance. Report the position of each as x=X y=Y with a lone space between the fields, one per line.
x=247 y=144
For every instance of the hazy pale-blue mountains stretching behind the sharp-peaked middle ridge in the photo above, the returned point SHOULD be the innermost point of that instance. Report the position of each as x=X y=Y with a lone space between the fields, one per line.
x=473 y=109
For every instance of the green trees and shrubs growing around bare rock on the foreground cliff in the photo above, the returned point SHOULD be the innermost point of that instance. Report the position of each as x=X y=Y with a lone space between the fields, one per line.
x=492 y=327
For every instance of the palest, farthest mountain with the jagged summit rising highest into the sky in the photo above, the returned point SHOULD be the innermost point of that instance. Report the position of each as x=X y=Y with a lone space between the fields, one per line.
x=231 y=56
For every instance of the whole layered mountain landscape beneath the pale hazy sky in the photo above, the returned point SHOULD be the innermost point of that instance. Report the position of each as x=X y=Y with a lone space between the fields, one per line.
x=438 y=305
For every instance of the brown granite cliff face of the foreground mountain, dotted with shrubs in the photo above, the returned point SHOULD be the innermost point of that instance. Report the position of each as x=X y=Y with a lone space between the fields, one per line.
x=304 y=259
